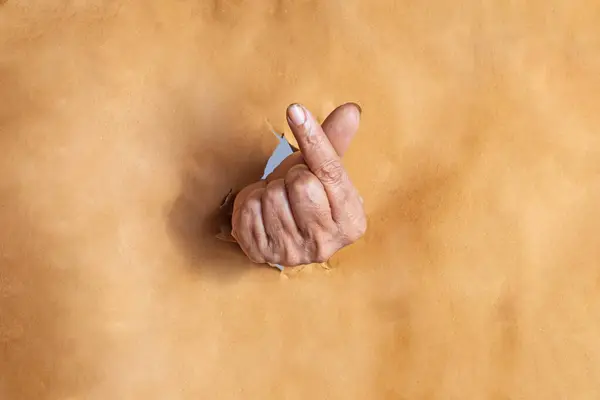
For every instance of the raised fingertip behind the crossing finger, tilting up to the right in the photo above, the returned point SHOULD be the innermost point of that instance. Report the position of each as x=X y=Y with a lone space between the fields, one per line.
x=341 y=126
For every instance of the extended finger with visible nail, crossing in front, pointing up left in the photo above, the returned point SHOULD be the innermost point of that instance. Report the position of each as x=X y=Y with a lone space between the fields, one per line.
x=322 y=159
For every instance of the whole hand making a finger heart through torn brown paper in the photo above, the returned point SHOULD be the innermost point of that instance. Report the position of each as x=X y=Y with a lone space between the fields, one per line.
x=307 y=209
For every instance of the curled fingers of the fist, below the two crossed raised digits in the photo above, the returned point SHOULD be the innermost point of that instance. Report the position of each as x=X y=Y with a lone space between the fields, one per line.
x=287 y=222
